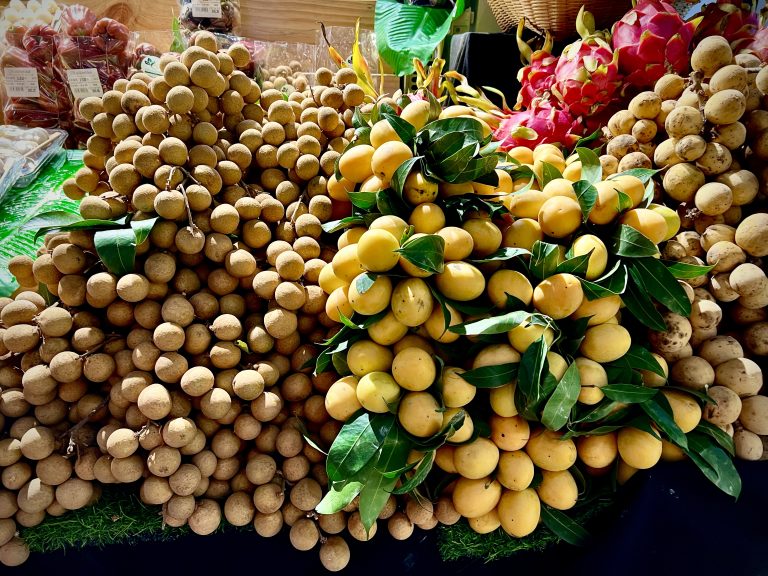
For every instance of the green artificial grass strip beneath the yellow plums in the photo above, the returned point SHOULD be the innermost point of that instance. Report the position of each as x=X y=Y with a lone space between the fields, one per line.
x=460 y=542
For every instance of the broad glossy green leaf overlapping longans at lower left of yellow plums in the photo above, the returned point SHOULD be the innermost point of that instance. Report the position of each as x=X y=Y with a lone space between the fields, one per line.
x=358 y=442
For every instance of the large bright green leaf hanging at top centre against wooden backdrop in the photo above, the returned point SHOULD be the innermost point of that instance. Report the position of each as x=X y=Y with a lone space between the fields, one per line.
x=405 y=32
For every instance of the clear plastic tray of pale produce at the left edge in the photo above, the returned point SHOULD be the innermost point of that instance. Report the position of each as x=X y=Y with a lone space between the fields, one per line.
x=33 y=146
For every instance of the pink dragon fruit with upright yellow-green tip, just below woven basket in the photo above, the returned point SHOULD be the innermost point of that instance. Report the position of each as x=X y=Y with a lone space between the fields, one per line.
x=587 y=73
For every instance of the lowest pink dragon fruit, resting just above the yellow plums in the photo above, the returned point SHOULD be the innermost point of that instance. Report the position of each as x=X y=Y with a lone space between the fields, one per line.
x=541 y=123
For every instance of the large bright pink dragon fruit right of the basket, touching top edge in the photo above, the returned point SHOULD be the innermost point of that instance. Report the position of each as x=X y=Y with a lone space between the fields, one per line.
x=652 y=40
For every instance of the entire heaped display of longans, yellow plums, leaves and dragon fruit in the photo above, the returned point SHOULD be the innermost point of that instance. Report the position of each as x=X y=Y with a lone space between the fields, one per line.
x=305 y=307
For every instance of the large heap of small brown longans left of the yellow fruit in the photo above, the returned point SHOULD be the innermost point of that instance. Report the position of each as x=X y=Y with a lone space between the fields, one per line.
x=187 y=376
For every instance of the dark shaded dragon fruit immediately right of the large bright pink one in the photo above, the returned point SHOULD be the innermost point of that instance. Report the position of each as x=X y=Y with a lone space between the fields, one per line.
x=737 y=22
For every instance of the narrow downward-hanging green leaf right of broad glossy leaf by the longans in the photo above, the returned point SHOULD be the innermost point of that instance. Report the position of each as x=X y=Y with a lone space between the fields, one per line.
x=377 y=487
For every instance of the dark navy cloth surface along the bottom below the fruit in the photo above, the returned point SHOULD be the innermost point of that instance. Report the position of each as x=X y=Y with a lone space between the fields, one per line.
x=669 y=520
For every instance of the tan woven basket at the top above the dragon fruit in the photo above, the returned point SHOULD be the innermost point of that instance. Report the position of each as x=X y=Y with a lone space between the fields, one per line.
x=557 y=16
